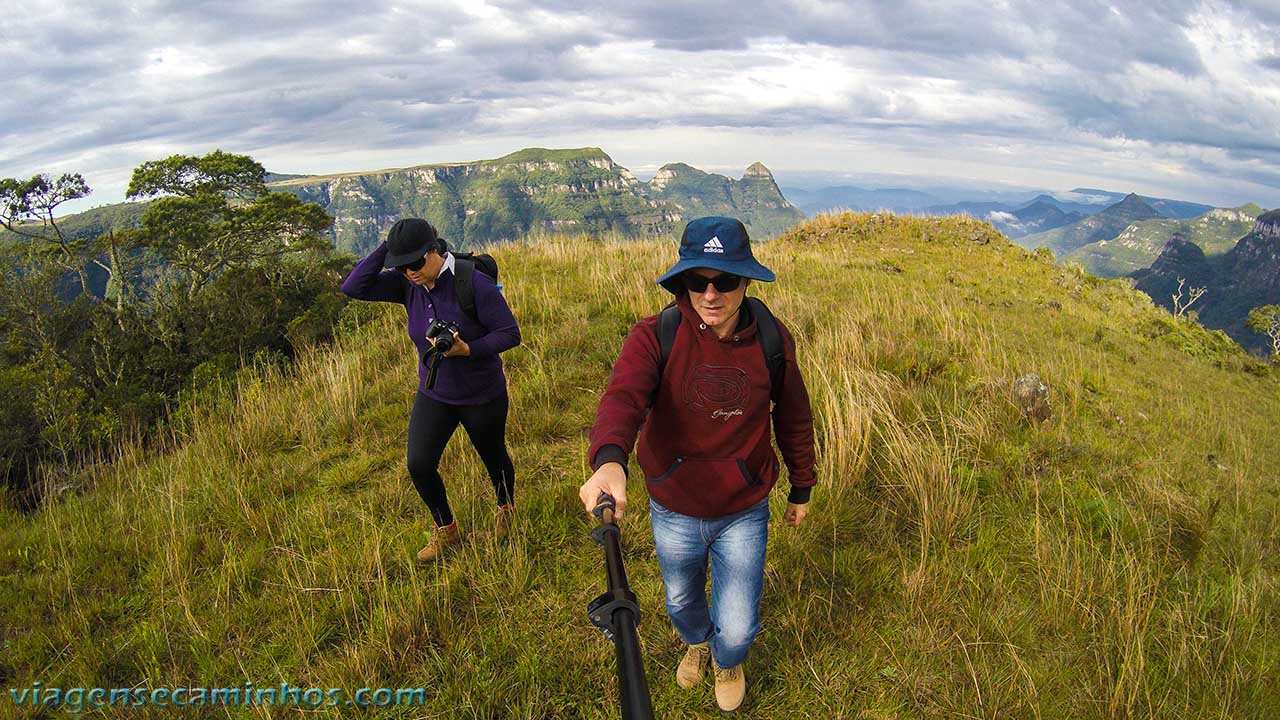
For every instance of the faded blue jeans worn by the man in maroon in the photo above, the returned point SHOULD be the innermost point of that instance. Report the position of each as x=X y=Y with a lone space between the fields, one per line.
x=735 y=545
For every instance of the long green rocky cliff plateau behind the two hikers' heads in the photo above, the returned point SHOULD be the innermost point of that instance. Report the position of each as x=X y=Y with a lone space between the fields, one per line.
x=540 y=190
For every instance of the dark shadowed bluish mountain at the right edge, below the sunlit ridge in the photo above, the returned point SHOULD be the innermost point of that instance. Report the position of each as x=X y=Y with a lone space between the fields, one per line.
x=1245 y=277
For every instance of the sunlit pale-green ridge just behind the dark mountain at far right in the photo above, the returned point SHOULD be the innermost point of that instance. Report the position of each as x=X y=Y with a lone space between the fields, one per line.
x=1140 y=244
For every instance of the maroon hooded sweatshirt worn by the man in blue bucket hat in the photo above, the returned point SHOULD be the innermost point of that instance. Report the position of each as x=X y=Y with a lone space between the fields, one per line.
x=706 y=444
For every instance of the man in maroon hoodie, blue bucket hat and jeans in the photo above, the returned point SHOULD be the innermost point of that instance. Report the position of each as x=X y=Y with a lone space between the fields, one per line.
x=703 y=417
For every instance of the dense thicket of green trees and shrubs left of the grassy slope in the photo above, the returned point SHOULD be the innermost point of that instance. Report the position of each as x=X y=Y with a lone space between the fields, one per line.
x=230 y=271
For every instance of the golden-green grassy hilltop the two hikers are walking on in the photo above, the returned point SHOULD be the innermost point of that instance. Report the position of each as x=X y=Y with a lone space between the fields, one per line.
x=1119 y=560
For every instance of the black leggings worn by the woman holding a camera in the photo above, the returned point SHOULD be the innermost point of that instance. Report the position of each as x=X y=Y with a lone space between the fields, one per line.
x=432 y=425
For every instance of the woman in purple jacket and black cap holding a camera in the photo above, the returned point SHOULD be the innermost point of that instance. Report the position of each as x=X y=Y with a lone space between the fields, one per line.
x=415 y=268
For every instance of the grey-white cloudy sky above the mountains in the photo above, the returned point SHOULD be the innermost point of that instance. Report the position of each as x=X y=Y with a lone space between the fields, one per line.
x=1171 y=98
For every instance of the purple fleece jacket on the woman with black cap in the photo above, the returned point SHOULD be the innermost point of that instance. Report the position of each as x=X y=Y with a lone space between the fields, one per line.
x=465 y=380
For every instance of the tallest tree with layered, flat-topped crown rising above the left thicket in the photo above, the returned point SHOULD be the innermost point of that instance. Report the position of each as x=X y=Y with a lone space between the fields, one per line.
x=216 y=215
